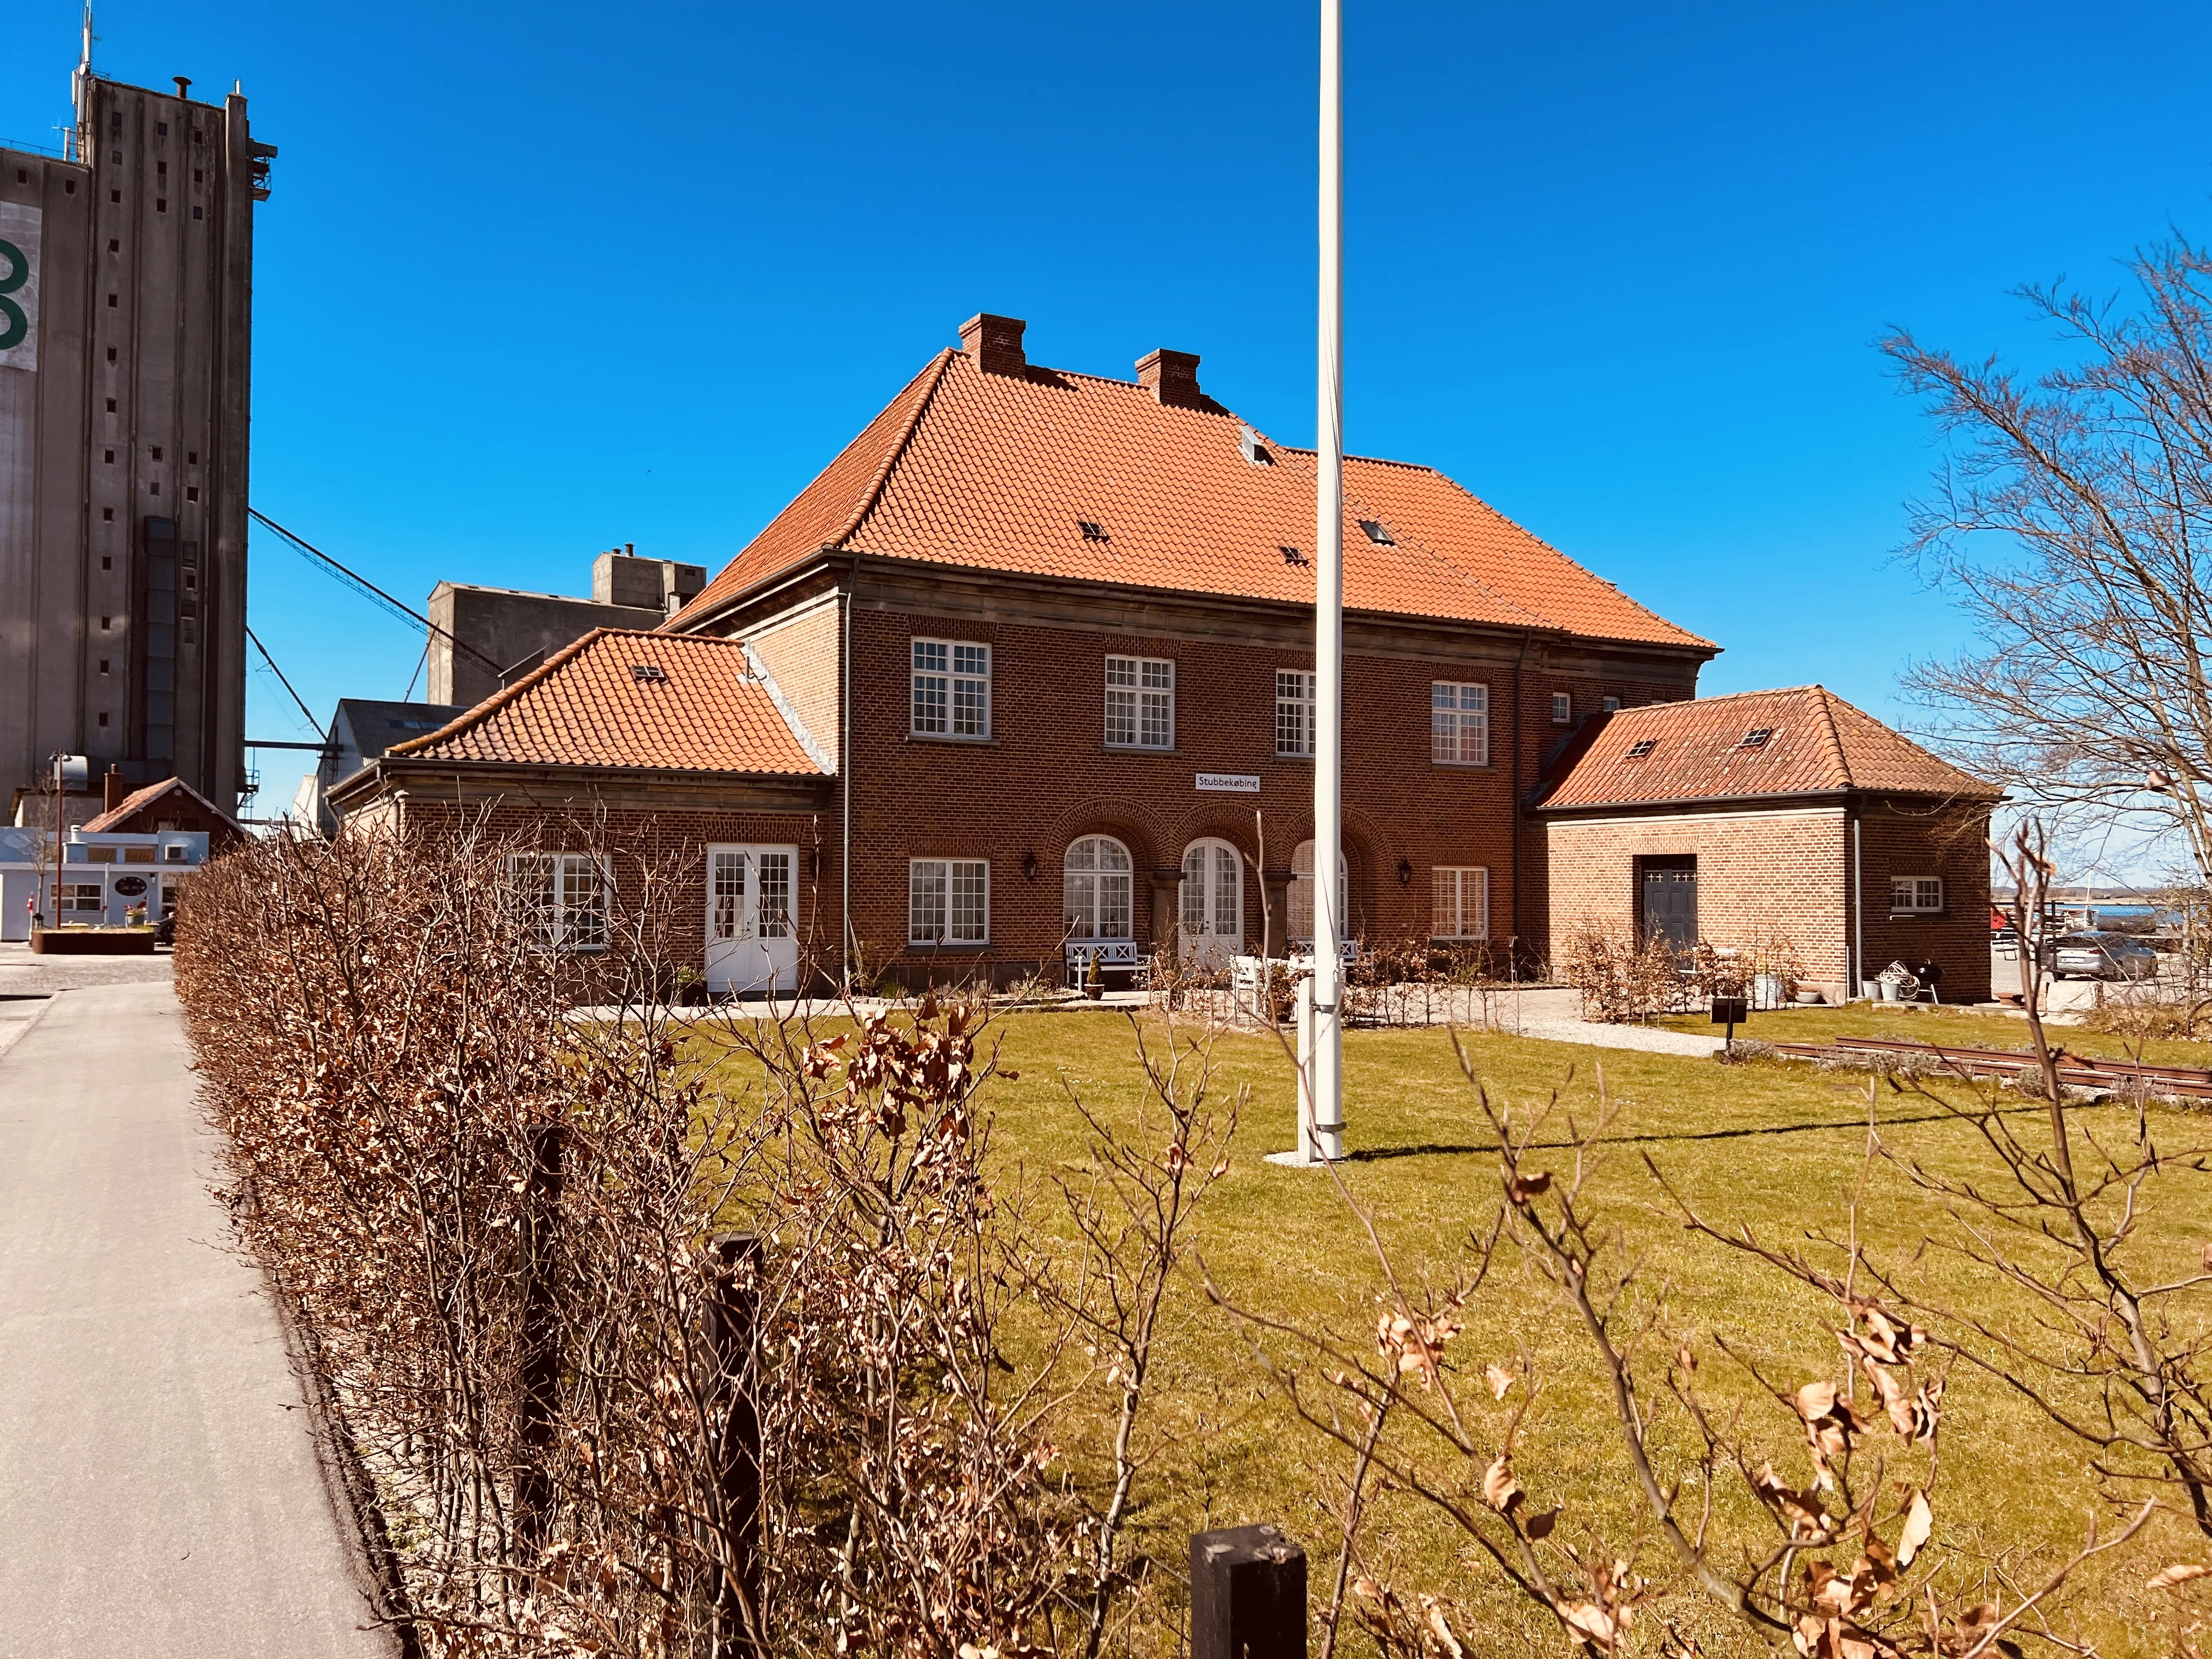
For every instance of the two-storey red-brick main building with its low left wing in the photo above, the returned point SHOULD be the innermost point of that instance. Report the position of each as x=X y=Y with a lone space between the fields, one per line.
x=1025 y=678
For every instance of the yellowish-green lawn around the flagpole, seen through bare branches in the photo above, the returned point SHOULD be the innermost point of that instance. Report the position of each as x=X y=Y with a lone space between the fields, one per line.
x=1775 y=1147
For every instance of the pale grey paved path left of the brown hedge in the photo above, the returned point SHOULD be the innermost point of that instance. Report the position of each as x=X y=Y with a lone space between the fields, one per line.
x=160 y=1490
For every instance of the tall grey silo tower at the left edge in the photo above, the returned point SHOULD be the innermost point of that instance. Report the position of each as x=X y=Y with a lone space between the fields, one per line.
x=125 y=399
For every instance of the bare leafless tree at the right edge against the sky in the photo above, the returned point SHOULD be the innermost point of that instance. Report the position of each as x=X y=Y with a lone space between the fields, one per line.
x=2074 y=525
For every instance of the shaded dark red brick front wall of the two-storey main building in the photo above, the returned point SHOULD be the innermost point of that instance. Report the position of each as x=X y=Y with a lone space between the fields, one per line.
x=1047 y=780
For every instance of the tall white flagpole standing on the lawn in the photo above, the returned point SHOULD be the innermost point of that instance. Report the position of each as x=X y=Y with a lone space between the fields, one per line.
x=1324 y=1136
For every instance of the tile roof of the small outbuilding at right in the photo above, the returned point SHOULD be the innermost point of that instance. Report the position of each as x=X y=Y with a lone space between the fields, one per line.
x=1817 y=744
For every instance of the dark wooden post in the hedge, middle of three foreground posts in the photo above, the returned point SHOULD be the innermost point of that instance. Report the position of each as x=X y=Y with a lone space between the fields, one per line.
x=735 y=1441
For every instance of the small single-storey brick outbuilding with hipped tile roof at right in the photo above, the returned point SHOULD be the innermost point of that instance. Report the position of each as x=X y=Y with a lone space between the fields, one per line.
x=1771 y=817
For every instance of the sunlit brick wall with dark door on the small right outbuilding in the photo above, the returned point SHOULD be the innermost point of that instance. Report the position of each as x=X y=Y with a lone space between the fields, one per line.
x=1757 y=875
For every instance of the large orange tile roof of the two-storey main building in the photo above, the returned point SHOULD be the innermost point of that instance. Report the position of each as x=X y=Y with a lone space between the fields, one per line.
x=999 y=472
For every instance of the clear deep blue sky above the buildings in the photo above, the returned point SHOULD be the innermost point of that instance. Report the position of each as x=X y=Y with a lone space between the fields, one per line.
x=543 y=280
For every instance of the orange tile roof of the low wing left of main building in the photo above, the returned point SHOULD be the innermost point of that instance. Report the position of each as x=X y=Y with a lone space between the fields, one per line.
x=698 y=709
